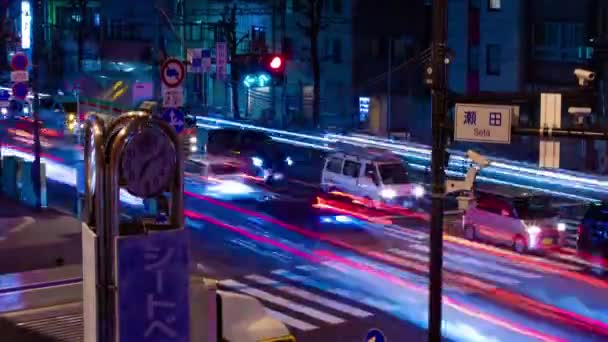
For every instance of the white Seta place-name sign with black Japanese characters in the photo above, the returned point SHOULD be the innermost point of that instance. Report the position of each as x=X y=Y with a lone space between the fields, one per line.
x=483 y=123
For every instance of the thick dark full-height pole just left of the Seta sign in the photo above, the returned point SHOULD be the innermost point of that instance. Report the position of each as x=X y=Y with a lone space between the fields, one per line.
x=438 y=72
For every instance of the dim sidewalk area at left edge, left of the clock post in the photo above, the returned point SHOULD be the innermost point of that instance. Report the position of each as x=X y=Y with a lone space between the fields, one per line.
x=31 y=239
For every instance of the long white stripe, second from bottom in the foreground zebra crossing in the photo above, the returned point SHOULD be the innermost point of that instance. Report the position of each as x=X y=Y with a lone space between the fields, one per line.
x=238 y=286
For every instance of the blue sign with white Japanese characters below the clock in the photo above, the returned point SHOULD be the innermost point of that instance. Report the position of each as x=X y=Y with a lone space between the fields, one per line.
x=153 y=287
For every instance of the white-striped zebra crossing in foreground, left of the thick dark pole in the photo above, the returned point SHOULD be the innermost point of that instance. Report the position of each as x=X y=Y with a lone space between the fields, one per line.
x=299 y=301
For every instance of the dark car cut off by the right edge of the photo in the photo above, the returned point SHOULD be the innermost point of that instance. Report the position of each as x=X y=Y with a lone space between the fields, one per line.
x=592 y=242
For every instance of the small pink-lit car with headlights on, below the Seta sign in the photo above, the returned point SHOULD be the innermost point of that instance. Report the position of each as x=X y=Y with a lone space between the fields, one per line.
x=524 y=221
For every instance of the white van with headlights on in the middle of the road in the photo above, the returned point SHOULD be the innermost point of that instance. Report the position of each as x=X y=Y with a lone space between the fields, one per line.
x=378 y=176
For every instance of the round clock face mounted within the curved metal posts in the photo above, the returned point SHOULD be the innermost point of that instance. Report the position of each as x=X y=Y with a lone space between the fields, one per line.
x=148 y=163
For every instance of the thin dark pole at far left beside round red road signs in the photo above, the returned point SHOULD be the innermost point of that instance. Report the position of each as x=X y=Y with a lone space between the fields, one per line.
x=39 y=6
